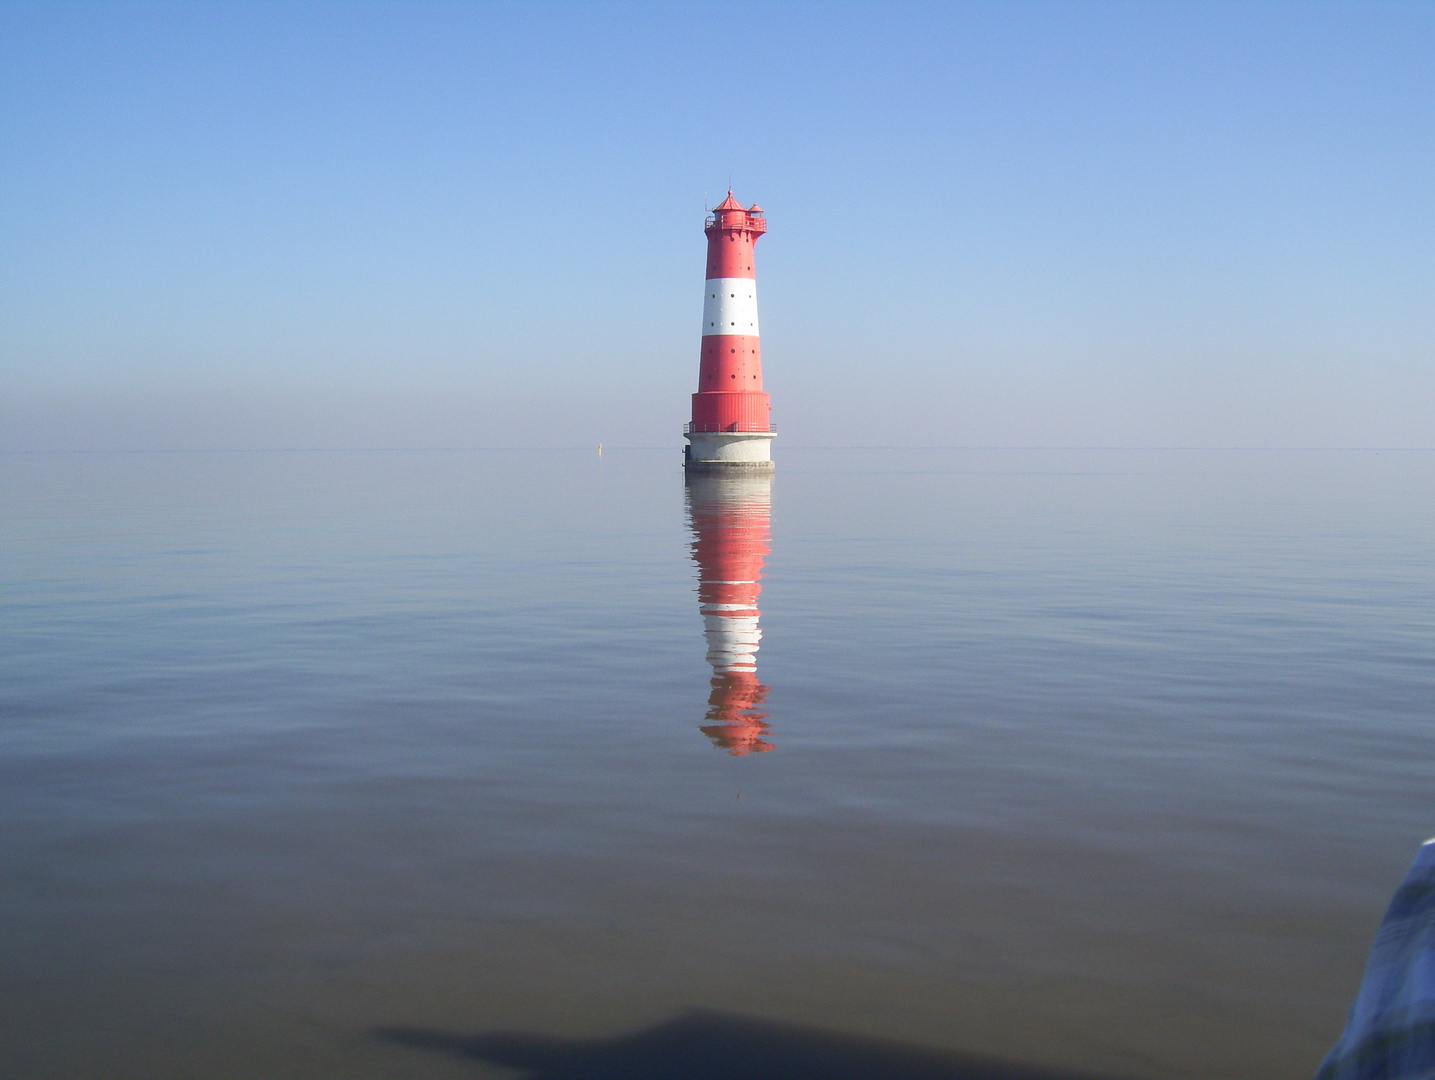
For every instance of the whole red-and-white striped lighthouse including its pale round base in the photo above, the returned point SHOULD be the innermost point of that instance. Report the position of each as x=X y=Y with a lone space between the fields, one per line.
x=731 y=430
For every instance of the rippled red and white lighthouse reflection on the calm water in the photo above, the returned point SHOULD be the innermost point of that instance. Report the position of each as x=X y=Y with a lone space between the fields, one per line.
x=730 y=518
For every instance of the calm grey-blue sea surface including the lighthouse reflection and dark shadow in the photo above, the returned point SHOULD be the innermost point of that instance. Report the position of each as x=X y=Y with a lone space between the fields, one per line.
x=394 y=765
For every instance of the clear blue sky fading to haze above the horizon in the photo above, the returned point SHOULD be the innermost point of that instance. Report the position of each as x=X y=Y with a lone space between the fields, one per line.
x=466 y=226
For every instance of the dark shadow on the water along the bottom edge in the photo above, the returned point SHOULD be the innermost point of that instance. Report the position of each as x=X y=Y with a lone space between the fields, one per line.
x=721 y=1046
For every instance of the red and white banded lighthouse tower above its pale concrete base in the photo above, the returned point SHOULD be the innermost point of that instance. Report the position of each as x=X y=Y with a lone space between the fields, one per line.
x=730 y=381
